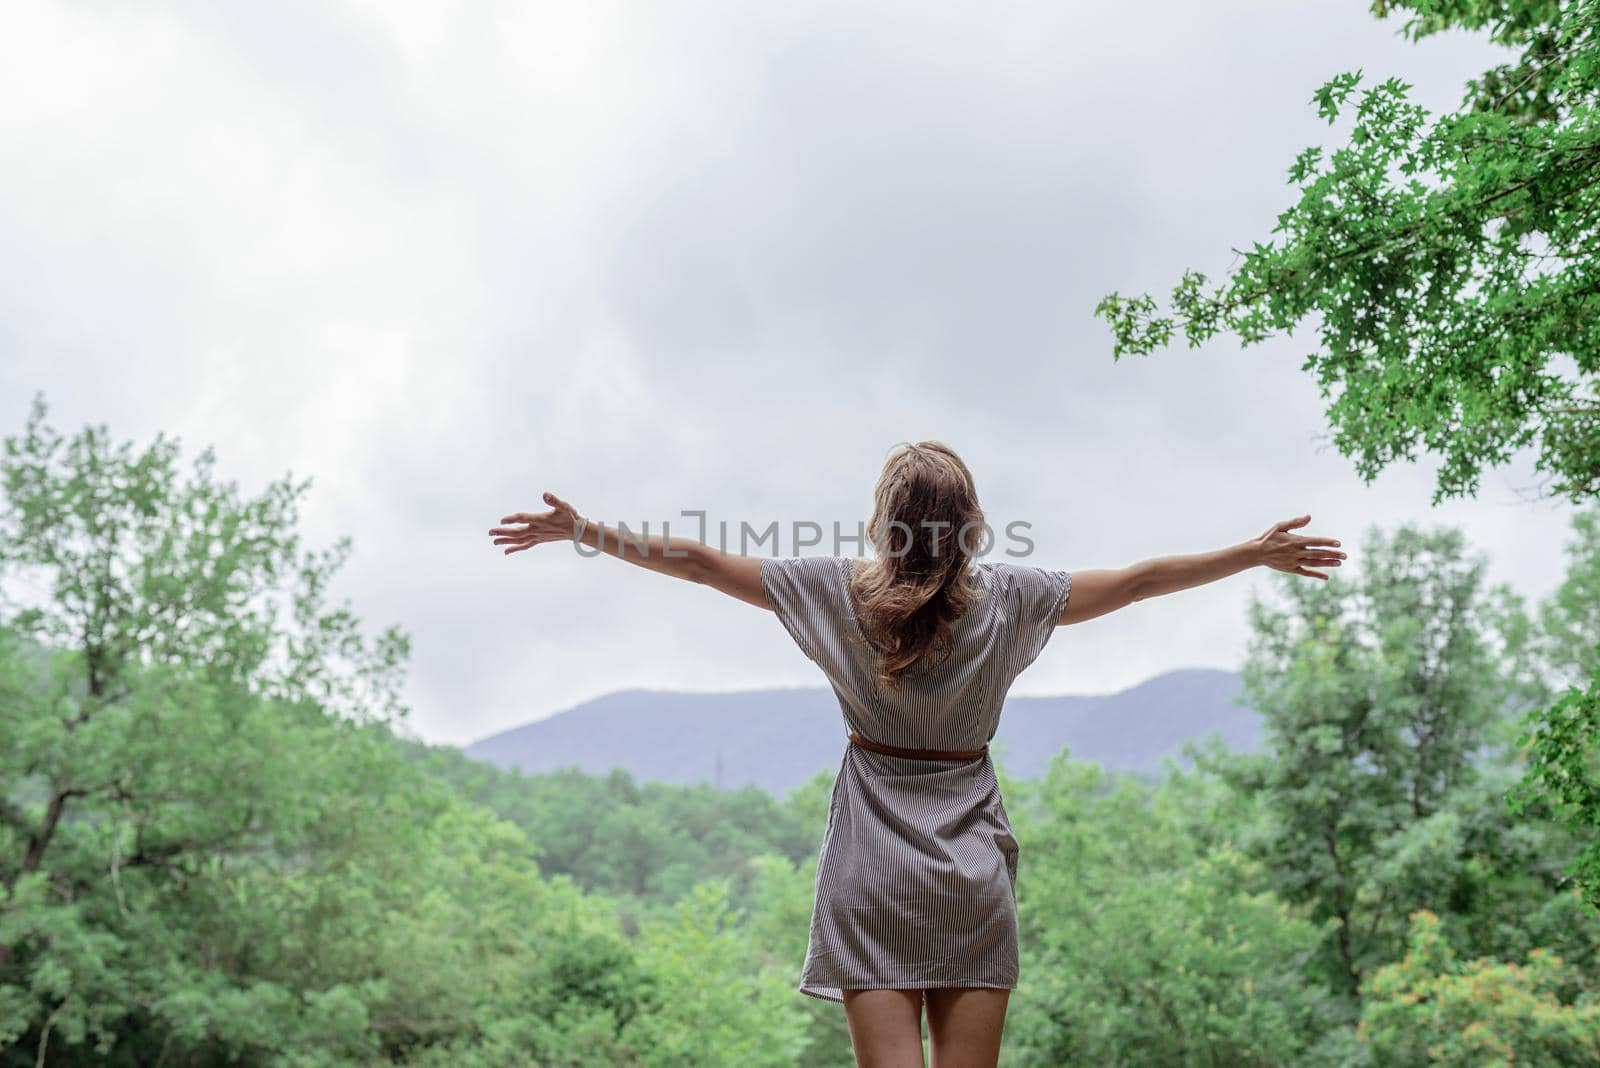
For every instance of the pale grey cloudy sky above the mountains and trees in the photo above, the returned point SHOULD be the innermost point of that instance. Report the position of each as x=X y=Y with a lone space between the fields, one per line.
x=690 y=257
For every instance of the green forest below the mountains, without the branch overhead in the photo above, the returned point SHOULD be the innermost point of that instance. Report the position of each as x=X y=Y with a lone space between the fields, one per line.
x=222 y=848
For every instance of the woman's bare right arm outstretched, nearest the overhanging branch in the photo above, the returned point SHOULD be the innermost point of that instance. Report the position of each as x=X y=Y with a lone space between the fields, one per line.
x=1100 y=592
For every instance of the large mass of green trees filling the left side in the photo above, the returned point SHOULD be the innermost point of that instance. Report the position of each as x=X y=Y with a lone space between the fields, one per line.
x=212 y=847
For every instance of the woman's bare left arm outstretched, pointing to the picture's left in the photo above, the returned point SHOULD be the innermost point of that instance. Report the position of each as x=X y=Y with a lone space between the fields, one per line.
x=678 y=557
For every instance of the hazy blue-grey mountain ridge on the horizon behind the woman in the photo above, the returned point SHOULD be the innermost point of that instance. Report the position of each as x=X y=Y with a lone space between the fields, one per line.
x=778 y=739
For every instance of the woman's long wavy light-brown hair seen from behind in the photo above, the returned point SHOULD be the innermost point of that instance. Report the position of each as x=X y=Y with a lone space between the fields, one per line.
x=926 y=524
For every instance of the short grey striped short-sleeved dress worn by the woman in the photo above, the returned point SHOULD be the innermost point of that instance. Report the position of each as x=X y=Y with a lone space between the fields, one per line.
x=916 y=883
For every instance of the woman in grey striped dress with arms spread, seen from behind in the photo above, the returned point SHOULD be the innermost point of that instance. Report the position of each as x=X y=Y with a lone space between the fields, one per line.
x=916 y=887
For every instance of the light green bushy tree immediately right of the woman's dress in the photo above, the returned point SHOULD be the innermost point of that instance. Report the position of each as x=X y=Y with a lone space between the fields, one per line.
x=1145 y=944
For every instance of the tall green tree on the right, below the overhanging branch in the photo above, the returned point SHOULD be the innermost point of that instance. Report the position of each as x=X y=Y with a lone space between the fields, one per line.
x=1378 y=696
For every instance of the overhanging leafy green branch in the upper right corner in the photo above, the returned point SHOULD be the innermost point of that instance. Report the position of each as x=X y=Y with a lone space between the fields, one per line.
x=1450 y=263
